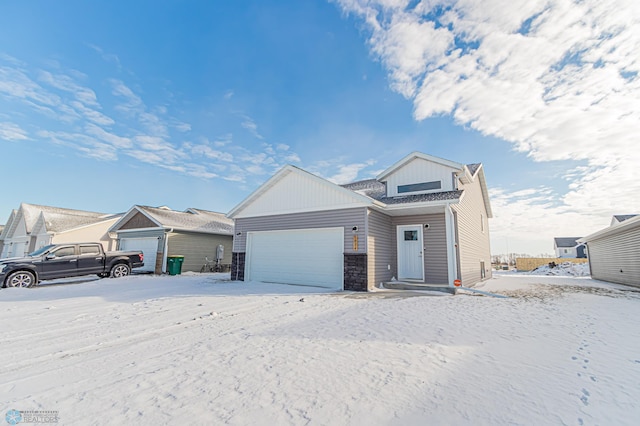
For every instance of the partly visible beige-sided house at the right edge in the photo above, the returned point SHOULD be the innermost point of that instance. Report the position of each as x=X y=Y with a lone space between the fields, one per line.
x=614 y=252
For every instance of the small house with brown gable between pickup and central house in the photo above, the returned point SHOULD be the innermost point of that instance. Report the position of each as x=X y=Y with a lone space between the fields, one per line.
x=160 y=232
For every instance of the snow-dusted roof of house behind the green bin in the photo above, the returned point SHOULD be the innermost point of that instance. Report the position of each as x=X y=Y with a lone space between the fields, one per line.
x=195 y=220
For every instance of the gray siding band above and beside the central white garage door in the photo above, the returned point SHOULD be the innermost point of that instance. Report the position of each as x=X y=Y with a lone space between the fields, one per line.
x=347 y=218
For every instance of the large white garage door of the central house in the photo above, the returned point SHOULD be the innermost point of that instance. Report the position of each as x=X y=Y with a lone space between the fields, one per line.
x=306 y=257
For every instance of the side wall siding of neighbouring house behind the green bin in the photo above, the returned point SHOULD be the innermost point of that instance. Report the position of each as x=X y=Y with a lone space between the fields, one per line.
x=195 y=247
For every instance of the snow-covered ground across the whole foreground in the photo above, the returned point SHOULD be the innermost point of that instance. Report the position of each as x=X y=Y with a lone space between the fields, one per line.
x=200 y=350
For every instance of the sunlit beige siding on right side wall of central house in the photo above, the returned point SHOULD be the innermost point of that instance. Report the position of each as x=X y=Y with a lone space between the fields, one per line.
x=473 y=235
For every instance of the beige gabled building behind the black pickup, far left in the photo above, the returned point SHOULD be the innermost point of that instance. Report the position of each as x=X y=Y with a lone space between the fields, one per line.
x=33 y=226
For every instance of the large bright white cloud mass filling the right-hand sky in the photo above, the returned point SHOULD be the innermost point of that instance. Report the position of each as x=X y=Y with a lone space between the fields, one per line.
x=558 y=79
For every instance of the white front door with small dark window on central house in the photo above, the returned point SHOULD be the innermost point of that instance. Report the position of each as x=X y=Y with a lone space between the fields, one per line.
x=410 y=251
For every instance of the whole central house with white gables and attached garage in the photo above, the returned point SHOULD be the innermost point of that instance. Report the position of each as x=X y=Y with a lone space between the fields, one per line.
x=423 y=220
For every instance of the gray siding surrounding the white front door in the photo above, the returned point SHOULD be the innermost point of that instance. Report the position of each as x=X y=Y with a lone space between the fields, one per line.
x=435 y=246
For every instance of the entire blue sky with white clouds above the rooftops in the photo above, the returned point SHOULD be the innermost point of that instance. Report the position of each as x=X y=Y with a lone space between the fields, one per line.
x=105 y=104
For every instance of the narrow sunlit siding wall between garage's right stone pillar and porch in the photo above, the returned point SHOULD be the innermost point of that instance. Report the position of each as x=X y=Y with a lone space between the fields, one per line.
x=379 y=244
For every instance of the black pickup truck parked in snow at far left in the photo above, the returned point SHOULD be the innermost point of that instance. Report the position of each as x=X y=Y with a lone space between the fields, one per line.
x=67 y=260
